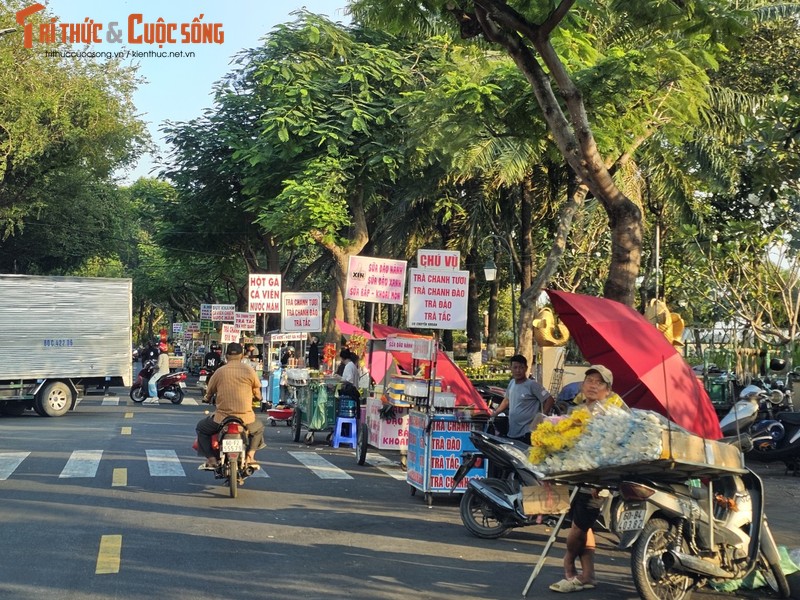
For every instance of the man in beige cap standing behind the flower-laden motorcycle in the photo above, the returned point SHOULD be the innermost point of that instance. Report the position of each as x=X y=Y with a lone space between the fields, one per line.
x=596 y=396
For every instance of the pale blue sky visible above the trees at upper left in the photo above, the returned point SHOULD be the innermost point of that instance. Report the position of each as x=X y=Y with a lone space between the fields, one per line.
x=179 y=89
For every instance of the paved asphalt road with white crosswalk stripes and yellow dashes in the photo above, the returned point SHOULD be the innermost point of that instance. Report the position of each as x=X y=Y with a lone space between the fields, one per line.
x=106 y=502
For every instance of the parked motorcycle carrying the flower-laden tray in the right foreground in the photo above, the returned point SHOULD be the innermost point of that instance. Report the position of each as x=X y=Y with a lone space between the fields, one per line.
x=683 y=534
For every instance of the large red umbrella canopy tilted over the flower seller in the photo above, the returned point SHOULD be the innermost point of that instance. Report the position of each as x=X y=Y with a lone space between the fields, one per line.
x=648 y=371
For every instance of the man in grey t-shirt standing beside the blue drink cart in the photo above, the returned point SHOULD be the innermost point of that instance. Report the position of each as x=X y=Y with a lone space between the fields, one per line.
x=525 y=398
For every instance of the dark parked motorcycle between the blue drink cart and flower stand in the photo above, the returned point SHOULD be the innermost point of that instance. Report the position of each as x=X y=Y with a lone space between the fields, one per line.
x=493 y=506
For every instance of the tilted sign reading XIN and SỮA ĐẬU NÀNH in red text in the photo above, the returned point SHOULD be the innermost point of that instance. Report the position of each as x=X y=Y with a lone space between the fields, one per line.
x=376 y=280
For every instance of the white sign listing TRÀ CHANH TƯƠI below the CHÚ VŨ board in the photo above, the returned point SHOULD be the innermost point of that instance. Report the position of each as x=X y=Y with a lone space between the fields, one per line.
x=437 y=299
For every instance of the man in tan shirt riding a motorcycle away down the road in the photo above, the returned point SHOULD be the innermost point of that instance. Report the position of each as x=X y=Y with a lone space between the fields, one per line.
x=235 y=384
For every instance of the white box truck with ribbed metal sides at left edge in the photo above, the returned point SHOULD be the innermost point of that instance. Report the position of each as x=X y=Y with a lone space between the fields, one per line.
x=60 y=336
